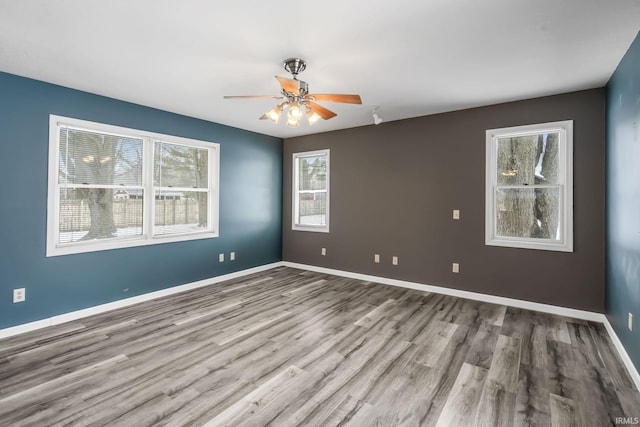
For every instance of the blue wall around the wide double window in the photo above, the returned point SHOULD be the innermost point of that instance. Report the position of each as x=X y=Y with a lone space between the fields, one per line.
x=250 y=207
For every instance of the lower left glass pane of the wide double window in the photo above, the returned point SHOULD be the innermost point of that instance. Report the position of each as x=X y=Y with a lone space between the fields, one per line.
x=99 y=213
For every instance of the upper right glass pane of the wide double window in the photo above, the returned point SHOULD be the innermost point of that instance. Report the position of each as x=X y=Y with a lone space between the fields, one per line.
x=180 y=166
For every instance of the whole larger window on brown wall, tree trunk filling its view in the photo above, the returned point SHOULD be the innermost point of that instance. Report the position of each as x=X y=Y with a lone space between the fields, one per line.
x=529 y=187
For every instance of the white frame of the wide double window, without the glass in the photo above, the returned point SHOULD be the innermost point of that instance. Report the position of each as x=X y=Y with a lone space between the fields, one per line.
x=147 y=238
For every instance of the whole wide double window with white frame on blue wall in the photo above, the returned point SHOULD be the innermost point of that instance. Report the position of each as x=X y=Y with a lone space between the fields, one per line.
x=113 y=187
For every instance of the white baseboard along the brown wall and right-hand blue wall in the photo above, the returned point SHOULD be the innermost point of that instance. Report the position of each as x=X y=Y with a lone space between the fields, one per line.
x=511 y=302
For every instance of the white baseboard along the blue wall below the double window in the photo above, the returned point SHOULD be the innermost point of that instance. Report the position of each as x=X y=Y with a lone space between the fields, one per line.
x=79 y=314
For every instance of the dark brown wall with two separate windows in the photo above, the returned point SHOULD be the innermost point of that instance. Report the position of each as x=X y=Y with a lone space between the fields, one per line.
x=394 y=186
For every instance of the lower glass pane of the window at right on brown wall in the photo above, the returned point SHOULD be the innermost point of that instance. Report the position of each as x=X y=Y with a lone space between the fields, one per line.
x=528 y=213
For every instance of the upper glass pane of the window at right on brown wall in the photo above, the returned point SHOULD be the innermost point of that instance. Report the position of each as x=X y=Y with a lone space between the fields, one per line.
x=528 y=160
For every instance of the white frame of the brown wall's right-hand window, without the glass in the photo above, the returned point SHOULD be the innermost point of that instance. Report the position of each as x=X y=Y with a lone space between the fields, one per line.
x=565 y=185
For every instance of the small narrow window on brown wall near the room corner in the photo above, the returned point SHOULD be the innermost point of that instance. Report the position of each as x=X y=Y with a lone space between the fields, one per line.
x=311 y=191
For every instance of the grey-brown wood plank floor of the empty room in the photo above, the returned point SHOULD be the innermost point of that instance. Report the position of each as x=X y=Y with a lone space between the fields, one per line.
x=287 y=347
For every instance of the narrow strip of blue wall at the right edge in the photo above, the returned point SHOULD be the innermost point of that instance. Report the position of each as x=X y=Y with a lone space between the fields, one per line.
x=623 y=200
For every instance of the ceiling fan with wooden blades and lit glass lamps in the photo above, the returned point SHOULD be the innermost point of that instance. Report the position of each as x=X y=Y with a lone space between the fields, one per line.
x=298 y=100
